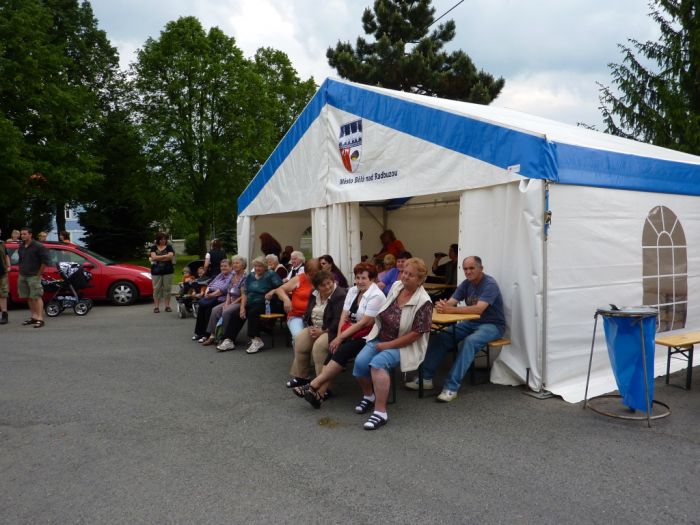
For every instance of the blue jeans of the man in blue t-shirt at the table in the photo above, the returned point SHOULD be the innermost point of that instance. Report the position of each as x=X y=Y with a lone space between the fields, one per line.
x=473 y=337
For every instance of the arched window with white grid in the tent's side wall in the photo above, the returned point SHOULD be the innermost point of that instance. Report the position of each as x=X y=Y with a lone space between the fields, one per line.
x=665 y=268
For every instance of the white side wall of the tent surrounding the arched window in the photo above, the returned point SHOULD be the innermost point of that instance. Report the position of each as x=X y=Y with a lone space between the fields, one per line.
x=594 y=257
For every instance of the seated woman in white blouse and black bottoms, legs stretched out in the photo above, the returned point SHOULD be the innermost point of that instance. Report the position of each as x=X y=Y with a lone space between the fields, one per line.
x=362 y=303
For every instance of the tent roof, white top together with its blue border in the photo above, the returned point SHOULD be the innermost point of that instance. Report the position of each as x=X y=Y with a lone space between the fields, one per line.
x=532 y=146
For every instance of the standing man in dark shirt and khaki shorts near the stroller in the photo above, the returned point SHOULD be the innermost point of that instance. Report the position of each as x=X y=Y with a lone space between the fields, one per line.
x=33 y=258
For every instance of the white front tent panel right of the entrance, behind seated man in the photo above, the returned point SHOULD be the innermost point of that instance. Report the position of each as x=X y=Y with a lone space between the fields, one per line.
x=504 y=226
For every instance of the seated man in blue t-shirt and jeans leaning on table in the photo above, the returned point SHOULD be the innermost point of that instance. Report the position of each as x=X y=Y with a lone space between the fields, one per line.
x=482 y=296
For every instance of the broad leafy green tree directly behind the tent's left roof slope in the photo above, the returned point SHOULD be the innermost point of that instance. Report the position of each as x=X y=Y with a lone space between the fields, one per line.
x=210 y=117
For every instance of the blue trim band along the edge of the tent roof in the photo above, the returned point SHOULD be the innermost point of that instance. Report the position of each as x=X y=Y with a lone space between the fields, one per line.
x=537 y=157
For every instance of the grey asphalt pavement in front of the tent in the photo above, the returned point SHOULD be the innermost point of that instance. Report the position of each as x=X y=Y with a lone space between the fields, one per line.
x=118 y=417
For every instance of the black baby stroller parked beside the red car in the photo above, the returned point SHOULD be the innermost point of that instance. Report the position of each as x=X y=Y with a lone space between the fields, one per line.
x=66 y=291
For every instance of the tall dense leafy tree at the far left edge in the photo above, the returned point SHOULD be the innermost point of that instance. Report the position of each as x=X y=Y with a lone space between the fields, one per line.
x=56 y=67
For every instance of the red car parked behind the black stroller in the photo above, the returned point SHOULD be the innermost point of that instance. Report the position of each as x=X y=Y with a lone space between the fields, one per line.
x=122 y=284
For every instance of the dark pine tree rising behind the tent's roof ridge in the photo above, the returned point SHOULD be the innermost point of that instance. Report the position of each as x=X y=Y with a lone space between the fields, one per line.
x=405 y=56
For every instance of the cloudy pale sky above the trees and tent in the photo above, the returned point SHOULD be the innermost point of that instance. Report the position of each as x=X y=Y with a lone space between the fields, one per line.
x=550 y=52
